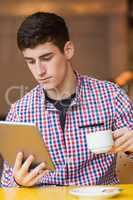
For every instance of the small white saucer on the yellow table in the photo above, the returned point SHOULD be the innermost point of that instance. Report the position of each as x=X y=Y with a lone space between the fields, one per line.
x=97 y=192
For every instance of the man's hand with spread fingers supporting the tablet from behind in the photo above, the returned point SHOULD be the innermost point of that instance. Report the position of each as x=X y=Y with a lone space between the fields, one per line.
x=21 y=172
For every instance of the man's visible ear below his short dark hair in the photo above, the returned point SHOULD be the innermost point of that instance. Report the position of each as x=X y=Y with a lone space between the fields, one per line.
x=69 y=50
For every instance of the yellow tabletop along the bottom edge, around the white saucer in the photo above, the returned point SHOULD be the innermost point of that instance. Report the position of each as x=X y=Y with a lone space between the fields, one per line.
x=54 y=193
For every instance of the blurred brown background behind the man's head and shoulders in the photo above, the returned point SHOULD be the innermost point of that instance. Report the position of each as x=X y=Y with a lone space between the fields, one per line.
x=101 y=30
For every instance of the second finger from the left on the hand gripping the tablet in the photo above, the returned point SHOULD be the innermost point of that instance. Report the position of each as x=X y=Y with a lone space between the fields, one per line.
x=25 y=167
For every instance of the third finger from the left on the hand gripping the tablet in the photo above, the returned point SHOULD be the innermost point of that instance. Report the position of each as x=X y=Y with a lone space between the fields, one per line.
x=40 y=168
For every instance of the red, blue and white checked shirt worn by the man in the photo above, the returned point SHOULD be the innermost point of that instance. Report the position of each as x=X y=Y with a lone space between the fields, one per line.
x=98 y=105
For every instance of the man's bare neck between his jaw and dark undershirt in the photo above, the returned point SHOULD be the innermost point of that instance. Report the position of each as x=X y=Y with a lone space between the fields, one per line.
x=66 y=89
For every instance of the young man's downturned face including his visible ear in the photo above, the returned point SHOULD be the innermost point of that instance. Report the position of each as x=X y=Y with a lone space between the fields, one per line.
x=48 y=64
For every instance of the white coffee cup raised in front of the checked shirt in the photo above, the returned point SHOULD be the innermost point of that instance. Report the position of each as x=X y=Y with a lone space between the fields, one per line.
x=100 y=141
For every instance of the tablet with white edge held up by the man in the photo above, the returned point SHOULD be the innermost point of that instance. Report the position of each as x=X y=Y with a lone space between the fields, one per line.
x=24 y=137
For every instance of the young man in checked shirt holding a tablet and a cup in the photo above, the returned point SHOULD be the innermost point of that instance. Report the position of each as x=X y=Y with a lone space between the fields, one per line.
x=66 y=107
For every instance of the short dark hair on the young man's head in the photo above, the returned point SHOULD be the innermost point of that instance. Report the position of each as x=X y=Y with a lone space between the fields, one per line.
x=42 y=27
